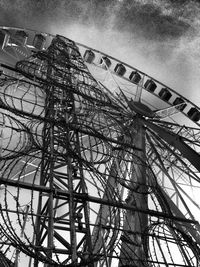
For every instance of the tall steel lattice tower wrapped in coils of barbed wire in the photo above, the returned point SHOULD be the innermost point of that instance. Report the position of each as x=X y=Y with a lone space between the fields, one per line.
x=62 y=225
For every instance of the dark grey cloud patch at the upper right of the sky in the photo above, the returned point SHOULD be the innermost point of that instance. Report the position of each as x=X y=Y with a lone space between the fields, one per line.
x=149 y=20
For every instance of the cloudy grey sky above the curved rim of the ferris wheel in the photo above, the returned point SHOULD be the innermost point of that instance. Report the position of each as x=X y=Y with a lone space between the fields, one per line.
x=159 y=37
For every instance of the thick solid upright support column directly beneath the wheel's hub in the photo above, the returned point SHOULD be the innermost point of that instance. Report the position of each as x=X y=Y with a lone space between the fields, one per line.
x=132 y=251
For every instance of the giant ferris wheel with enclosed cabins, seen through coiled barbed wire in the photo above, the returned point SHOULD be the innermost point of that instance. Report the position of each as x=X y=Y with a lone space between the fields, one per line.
x=99 y=161
